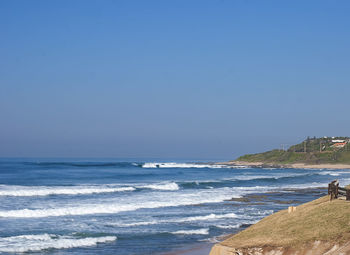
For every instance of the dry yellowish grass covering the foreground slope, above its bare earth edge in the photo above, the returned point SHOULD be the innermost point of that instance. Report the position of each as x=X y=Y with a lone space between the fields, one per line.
x=317 y=220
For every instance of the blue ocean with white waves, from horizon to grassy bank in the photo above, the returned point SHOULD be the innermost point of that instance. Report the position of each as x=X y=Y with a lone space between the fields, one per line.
x=123 y=207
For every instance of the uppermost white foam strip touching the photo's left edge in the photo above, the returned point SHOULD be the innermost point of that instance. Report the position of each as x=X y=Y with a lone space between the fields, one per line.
x=26 y=191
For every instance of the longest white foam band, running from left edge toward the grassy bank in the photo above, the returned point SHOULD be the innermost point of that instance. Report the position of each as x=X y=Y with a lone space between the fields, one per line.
x=155 y=200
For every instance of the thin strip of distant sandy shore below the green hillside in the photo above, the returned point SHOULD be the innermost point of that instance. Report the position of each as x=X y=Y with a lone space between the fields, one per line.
x=294 y=165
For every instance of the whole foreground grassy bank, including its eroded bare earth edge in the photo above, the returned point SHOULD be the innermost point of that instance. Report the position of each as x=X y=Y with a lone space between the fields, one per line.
x=317 y=227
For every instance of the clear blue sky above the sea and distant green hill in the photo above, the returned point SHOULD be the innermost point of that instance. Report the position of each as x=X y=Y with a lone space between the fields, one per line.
x=170 y=79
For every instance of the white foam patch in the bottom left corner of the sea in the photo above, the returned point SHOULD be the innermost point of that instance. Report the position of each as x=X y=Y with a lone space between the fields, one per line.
x=35 y=243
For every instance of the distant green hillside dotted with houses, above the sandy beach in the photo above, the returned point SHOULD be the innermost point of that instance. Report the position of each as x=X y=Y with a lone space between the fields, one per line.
x=325 y=150
